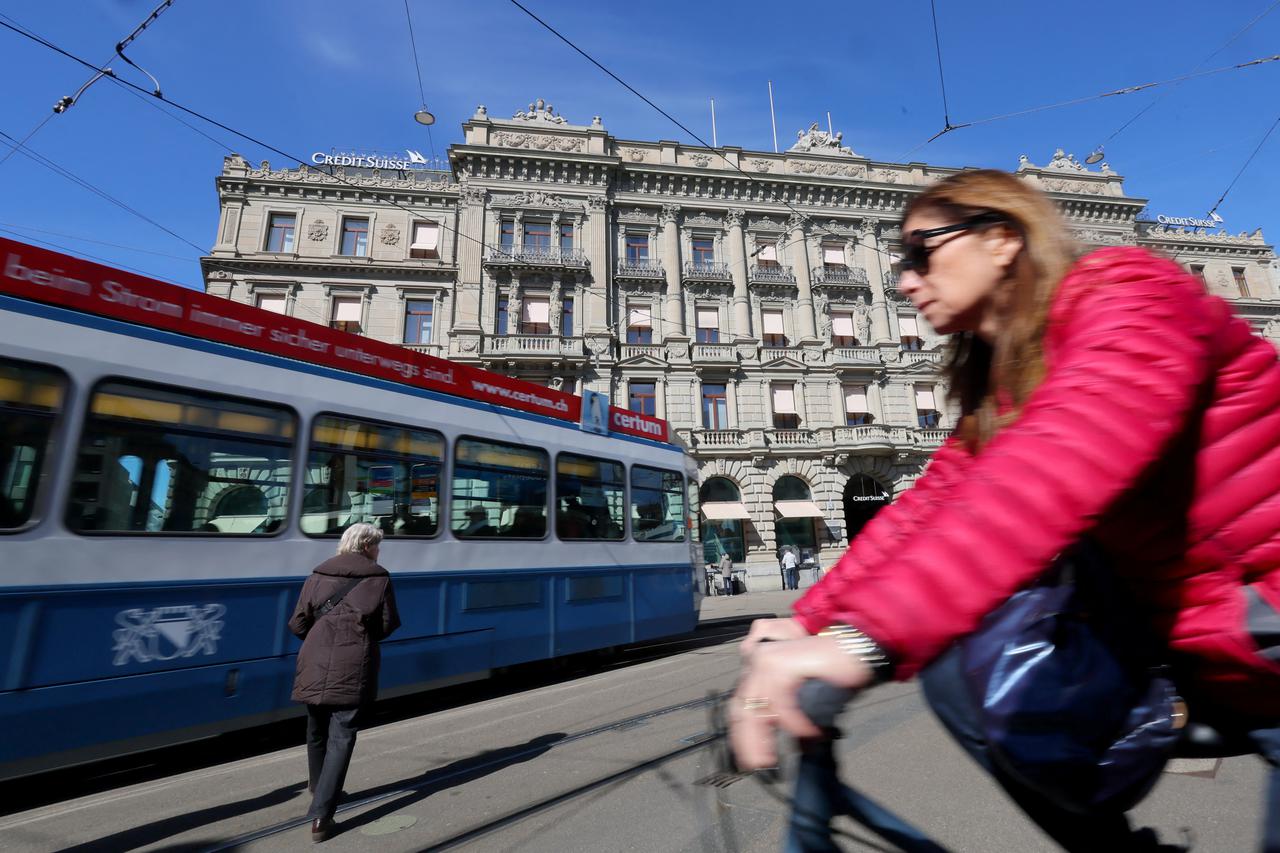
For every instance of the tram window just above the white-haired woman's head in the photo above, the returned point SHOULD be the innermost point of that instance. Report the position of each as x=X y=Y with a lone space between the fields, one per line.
x=387 y=476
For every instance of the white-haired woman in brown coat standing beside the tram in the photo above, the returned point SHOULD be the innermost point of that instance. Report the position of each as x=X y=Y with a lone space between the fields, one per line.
x=348 y=606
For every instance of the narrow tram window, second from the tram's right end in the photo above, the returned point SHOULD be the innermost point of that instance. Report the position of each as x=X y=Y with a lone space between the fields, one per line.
x=589 y=499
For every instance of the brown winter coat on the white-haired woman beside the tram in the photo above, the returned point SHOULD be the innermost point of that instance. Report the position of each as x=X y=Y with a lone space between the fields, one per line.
x=339 y=662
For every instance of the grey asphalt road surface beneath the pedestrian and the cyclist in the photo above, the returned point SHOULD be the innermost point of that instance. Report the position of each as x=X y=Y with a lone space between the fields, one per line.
x=610 y=760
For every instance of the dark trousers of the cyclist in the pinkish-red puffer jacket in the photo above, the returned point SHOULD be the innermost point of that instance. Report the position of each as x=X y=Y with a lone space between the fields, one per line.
x=949 y=696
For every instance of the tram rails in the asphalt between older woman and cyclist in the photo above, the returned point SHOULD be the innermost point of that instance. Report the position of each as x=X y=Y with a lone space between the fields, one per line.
x=514 y=816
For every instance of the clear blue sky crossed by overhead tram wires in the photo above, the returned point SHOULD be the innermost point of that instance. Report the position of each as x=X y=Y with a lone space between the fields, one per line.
x=322 y=75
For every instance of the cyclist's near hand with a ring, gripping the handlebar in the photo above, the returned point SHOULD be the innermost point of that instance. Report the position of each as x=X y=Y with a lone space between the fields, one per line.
x=766 y=696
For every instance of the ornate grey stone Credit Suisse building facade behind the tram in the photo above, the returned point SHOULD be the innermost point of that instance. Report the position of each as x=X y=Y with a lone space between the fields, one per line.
x=744 y=297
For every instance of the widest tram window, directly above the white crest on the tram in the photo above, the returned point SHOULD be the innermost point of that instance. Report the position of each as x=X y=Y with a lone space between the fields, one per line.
x=166 y=460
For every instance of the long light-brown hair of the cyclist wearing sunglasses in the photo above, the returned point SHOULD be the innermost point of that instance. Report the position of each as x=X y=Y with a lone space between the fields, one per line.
x=988 y=377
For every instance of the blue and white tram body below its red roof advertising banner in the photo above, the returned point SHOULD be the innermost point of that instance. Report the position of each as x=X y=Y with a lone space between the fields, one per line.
x=162 y=499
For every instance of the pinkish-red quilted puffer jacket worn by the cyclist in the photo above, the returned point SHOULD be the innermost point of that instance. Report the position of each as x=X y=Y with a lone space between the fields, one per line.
x=1156 y=430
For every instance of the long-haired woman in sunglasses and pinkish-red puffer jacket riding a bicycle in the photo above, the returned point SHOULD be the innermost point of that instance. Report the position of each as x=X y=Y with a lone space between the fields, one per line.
x=1108 y=396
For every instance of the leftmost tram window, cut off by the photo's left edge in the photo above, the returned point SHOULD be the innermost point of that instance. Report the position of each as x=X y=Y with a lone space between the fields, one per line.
x=31 y=398
